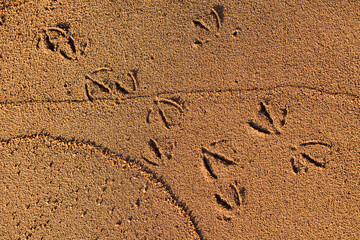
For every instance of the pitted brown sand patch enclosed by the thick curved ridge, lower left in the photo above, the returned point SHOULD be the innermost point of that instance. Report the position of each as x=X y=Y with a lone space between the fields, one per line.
x=82 y=153
